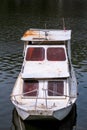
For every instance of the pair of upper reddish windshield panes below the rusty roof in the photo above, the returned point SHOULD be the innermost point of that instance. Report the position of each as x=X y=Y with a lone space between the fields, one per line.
x=38 y=54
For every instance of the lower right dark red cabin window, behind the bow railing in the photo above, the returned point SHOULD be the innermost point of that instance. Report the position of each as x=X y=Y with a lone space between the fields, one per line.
x=55 y=88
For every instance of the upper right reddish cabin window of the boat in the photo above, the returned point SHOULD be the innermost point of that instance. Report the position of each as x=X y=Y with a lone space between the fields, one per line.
x=56 y=54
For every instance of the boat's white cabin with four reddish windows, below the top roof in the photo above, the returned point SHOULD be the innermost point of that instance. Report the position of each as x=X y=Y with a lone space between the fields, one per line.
x=45 y=68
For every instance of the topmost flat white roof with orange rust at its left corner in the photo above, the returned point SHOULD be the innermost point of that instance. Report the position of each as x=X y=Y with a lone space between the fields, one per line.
x=46 y=35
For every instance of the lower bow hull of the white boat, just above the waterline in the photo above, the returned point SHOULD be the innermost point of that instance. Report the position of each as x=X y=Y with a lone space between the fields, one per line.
x=38 y=114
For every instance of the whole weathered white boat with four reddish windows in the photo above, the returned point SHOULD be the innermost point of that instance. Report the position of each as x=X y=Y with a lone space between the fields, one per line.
x=46 y=86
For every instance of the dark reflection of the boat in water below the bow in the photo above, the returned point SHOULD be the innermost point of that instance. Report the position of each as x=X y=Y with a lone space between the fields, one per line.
x=68 y=123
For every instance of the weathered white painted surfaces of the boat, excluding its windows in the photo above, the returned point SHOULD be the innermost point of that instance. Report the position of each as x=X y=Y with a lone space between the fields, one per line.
x=42 y=104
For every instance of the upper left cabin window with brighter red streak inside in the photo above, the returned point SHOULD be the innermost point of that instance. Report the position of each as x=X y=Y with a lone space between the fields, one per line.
x=35 y=54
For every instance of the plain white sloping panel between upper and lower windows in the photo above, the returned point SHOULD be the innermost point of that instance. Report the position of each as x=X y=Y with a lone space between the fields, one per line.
x=45 y=70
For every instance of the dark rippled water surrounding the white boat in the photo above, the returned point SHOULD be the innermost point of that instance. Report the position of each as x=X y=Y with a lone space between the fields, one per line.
x=16 y=16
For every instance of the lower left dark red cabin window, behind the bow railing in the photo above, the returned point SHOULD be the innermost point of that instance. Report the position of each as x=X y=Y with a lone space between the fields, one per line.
x=30 y=88
